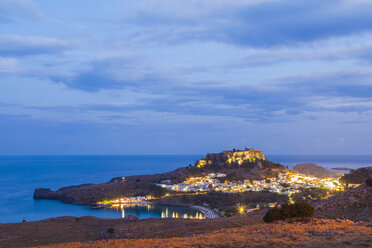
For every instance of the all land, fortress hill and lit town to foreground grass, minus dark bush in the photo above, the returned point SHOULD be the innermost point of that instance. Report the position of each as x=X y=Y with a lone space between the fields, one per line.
x=238 y=186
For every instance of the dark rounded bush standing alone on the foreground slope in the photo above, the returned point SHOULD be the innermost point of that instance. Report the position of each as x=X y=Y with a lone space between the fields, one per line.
x=297 y=211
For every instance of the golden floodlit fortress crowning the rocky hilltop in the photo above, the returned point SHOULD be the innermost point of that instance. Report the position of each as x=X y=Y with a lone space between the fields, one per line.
x=237 y=157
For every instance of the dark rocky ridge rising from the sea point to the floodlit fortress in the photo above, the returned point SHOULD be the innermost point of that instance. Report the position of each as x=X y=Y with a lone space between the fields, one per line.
x=240 y=165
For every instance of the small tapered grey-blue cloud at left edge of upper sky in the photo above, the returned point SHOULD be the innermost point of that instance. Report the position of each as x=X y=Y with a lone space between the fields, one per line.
x=16 y=45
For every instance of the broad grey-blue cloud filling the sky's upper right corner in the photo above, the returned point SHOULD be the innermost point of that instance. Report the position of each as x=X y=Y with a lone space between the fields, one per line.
x=263 y=24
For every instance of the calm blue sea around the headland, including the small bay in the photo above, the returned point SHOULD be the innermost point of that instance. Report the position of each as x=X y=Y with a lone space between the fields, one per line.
x=20 y=175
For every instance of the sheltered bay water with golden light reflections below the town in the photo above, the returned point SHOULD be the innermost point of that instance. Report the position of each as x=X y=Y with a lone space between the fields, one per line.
x=158 y=211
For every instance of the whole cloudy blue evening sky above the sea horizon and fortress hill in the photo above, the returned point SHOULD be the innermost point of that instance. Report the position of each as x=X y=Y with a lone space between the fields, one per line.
x=185 y=77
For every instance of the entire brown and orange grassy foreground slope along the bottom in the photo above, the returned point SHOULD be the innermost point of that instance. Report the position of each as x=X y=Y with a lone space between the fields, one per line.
x=237 y=231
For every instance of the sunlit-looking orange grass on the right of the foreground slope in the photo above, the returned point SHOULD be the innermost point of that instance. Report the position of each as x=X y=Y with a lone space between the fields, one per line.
x=319 y=233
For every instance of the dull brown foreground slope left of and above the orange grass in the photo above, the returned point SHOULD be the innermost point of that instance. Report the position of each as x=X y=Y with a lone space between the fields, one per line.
x=67 y=229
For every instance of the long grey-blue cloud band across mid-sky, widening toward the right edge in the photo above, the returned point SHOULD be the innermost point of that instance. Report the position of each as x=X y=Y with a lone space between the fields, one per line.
x=277 y=100
